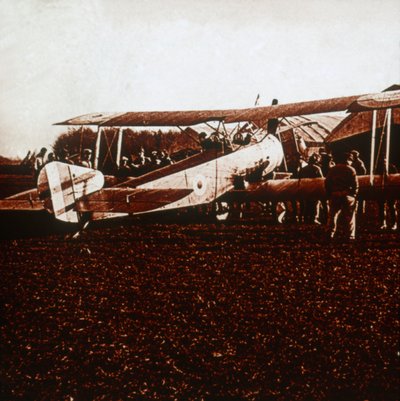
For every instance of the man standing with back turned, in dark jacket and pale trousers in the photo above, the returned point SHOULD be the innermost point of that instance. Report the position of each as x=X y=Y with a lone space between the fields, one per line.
x=341 y=186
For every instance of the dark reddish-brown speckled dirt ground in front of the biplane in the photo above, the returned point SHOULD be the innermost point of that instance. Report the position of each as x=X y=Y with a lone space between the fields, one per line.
x=242 y=310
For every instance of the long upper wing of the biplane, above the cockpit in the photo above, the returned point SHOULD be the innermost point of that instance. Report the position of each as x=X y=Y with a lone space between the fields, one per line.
x=257 y=115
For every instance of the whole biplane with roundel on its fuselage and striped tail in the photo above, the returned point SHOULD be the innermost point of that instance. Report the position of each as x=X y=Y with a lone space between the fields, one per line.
x=232 y=165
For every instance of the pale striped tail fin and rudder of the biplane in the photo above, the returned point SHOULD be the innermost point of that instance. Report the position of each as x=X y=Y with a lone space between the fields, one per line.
x=63 y=184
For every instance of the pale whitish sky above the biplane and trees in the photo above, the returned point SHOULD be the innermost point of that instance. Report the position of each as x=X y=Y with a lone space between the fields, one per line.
x=64 y=58
